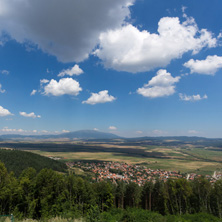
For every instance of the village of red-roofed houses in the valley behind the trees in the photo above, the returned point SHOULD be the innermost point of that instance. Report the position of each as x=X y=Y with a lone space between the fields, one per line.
x=139 y=174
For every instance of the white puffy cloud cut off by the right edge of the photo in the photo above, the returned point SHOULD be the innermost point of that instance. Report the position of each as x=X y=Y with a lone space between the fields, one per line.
x=209 y=66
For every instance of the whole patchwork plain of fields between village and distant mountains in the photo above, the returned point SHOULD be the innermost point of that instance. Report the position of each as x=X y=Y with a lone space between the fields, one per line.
x=186 y=158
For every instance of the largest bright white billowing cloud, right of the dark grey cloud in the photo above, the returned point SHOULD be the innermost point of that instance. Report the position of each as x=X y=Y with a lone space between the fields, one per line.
x=131 y=50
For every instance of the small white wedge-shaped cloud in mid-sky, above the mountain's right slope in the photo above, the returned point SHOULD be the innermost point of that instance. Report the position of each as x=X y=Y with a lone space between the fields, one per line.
x=100 y=97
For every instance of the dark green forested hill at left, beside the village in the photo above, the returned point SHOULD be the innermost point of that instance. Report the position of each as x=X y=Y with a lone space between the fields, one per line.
x=17 y=161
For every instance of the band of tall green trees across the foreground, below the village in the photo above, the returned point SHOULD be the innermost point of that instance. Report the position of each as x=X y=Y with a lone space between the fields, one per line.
x=47 y=194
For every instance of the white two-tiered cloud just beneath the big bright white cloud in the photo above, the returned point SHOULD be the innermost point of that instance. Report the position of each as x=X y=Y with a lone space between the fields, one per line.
x=160 y=85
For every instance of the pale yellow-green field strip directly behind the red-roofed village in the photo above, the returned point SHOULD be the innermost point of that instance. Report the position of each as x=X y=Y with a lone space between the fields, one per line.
x=185 y=166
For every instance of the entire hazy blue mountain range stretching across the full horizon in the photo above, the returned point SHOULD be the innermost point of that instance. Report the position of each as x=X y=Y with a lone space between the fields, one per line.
x=97 y=135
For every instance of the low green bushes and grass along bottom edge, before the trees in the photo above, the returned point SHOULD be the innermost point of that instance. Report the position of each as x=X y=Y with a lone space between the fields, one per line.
x=130 y=215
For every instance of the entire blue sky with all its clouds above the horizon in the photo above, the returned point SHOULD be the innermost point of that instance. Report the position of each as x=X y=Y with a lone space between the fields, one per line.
x=131 y=67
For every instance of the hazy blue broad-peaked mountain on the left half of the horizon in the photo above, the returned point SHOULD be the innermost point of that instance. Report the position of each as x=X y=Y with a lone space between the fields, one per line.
x=81 y=134
